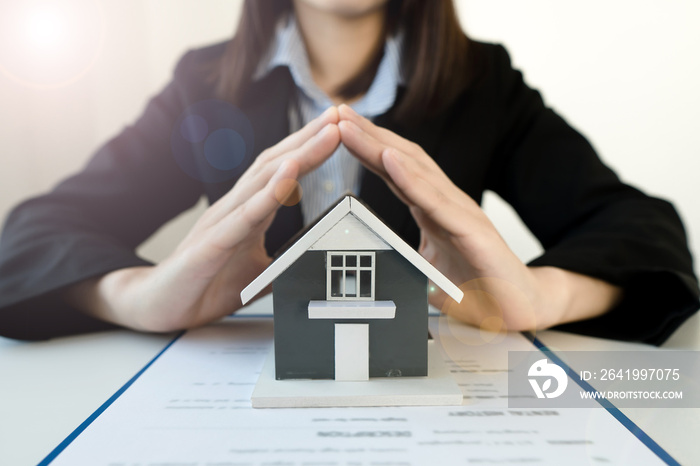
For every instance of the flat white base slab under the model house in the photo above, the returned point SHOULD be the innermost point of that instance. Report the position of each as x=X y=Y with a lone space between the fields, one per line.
x=437 y=389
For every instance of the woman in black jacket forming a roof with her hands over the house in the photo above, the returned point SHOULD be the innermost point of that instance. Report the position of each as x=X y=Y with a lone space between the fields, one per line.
x=448 y=118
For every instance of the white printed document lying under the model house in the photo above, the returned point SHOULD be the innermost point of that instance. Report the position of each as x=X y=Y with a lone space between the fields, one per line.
x=192 y=407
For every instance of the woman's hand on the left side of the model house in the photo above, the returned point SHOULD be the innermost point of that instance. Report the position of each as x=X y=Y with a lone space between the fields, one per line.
x=202 y=279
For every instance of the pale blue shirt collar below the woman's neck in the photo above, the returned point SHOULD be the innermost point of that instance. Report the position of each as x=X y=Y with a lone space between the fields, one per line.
x=287 y=49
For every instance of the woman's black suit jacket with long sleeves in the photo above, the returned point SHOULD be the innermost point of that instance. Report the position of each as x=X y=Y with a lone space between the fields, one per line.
x=495 y=135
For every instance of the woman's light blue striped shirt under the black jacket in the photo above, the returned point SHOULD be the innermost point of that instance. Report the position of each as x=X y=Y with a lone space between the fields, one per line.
x=341 y=172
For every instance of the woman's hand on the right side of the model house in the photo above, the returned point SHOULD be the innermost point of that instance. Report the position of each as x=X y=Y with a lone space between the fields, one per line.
x=500 y=292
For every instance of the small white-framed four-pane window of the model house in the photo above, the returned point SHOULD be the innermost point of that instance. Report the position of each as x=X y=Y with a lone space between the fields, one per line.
x=350 y=275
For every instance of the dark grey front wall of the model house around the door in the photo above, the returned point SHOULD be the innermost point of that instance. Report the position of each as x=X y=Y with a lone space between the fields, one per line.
x=304 y=348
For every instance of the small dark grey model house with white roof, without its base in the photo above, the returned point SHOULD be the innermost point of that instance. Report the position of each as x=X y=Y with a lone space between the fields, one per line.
x=350 y=300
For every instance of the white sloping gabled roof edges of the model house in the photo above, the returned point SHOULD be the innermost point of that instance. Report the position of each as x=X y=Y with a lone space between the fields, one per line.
x=349 y=205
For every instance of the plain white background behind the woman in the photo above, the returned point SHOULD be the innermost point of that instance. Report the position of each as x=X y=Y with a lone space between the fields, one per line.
x=624 y=73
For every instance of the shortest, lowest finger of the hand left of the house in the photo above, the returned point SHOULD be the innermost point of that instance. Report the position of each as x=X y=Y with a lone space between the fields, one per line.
x=246 y=219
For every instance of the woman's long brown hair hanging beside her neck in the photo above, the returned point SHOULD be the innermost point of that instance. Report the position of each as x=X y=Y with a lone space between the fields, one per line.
x=434 y=55
